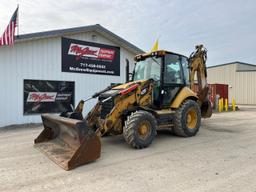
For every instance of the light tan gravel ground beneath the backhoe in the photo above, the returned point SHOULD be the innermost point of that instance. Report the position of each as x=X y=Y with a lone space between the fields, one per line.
x=222 y=157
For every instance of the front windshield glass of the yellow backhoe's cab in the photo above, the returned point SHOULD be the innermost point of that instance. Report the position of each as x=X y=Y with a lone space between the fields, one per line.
x=148 y=69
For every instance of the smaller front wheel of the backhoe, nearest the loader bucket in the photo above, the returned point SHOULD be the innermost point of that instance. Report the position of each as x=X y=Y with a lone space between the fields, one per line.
x=140 y=129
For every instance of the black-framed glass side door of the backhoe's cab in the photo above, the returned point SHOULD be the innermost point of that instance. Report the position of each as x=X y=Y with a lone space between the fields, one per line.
x=172 y=79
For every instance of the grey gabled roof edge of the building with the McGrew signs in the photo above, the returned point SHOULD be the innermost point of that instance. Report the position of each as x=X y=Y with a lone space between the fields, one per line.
x=70 y=31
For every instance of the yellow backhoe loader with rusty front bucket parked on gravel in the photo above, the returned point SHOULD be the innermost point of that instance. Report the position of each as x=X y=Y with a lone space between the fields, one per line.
x=159 y=95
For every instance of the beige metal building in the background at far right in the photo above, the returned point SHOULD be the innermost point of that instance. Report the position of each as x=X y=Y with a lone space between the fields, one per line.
x=241 y=78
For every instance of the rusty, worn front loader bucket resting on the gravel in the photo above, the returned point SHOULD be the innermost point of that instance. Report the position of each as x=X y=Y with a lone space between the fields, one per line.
x=68 y=142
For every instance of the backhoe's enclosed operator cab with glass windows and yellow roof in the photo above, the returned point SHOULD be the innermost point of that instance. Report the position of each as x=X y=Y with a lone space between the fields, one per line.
x=169 y=71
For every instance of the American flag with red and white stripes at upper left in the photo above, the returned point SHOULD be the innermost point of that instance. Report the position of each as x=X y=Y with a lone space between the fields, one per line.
x=8 y=36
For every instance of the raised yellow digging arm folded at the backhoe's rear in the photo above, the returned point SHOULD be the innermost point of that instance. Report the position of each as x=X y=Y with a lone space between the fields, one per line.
x=197 y=66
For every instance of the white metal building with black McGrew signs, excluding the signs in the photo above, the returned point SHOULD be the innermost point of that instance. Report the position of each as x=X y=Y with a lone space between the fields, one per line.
x=38 y=56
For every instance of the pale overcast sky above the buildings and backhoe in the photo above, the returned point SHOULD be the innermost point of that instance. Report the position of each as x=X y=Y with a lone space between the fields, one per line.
x=227 y=28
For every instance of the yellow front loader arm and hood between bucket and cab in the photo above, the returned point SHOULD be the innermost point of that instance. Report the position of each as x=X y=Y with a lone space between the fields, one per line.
x=125 y=98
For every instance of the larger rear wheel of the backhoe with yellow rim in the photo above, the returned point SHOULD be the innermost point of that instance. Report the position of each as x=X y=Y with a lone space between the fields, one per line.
x=187 y=120
